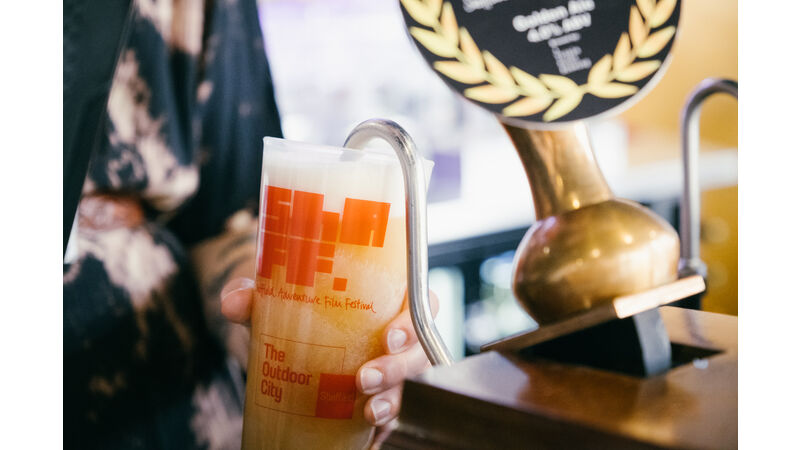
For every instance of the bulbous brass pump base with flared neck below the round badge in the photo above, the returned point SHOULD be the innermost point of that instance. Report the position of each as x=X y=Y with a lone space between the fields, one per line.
x=586 y=247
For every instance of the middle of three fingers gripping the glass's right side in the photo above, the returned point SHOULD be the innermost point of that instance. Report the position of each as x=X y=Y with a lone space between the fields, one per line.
x=386 y=371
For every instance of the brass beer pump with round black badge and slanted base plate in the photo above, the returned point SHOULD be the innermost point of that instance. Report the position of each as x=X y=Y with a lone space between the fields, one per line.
x=593 y=269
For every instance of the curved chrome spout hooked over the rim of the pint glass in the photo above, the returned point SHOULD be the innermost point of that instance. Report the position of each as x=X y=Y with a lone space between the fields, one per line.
x=416 y=229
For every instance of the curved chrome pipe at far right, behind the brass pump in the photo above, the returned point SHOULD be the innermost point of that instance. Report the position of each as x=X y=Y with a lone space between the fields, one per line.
x=690 y=262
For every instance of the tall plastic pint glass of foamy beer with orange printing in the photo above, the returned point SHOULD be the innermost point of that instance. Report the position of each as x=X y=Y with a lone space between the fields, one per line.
x=331 y=273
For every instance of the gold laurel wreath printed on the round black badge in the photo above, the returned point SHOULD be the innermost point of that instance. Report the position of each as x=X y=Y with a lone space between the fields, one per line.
x=468 y=64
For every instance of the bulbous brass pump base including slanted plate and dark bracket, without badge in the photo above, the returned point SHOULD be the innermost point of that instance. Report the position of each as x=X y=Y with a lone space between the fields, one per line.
x=586 y=252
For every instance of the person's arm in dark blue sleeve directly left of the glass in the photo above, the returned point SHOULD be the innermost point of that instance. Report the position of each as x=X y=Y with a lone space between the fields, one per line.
x=235 y=108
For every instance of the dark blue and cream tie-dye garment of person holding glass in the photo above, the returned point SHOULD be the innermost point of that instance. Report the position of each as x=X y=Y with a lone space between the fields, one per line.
x=148 y=360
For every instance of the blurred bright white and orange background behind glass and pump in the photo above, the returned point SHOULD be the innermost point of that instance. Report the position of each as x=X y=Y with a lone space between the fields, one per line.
x=336 y=63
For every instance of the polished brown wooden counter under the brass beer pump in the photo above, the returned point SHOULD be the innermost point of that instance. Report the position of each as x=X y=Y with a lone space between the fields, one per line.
x=500 y=400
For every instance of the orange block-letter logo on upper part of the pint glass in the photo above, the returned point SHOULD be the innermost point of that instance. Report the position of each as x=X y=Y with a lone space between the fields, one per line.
x=302 y=237
